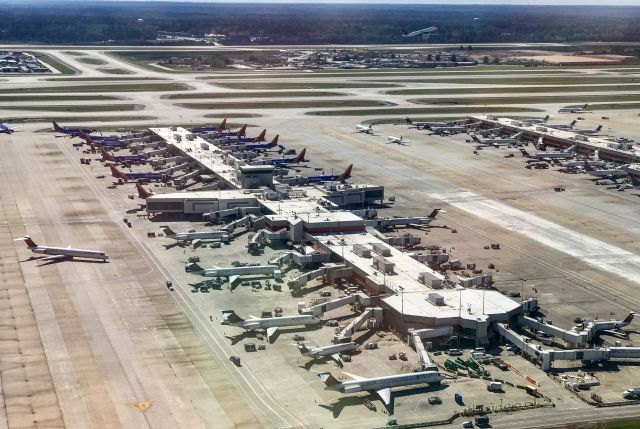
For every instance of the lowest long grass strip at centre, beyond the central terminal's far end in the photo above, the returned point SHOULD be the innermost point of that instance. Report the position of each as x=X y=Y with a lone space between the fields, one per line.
x=286 y=104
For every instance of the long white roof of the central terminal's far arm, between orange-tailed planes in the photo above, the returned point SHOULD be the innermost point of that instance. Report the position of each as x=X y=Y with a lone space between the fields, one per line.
x=212 y=158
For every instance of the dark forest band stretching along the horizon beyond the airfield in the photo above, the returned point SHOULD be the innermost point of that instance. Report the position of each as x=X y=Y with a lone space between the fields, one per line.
x=136 y=23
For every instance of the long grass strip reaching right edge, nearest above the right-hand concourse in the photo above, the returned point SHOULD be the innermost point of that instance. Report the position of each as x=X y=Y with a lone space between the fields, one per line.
x=580 y=99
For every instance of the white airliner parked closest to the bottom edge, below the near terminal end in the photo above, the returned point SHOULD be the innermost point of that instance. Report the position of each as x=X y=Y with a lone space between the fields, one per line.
x=381 y=385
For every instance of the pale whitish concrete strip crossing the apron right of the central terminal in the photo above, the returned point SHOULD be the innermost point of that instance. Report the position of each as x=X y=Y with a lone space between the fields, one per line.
x=595 y=252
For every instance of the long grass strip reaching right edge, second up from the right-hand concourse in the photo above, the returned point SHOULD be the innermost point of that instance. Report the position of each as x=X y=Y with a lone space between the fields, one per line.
x=517 y=89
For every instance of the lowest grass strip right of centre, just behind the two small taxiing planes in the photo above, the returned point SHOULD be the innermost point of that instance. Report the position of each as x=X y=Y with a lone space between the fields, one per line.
x=424 y=111
